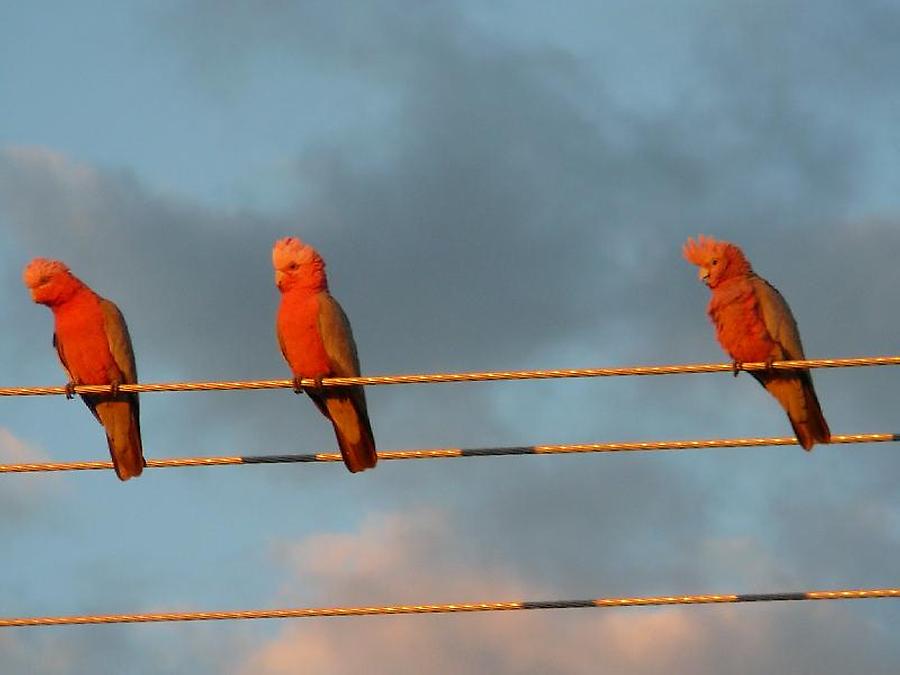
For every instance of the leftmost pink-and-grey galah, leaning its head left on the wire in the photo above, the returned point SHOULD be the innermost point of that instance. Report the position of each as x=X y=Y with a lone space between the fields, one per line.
x=91 y=338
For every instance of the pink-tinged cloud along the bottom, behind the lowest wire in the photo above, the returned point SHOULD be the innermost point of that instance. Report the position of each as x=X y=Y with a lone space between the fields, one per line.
x=413 y=558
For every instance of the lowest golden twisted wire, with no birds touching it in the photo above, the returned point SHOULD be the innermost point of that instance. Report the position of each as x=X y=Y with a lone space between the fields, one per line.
x=304 y=613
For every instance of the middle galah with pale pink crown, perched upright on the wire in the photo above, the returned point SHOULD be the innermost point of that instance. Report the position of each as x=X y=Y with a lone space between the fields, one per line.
x=316 y=341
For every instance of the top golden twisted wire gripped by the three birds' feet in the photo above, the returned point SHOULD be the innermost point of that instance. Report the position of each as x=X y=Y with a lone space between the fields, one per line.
x=487 y=376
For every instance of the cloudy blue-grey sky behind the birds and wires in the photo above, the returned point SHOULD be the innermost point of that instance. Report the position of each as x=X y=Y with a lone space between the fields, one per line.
x=493 y=186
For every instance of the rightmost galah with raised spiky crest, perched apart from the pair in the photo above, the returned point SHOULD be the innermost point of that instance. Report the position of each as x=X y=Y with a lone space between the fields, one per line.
x=754 y=324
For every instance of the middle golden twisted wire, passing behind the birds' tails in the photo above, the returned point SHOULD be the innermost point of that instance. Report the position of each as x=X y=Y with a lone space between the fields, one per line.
x=443 y=453
